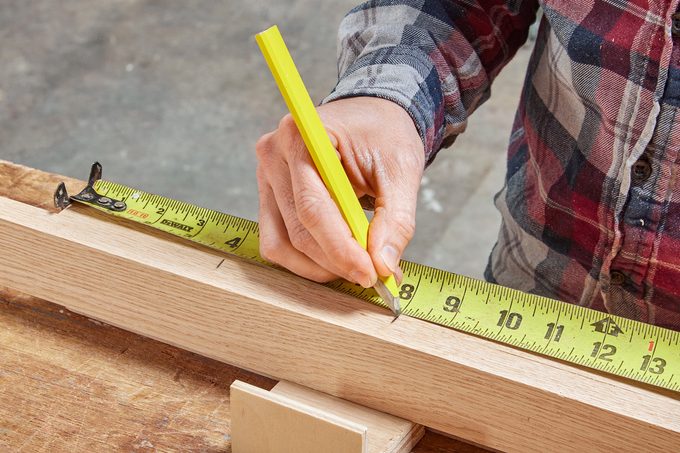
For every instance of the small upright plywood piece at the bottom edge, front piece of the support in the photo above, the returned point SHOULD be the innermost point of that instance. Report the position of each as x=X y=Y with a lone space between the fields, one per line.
x=267 y=422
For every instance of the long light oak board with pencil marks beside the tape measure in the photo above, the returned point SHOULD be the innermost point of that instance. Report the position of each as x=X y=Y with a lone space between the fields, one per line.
x=274 y=323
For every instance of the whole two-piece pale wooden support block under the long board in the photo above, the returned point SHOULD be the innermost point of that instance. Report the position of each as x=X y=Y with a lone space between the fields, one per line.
x=293 y=418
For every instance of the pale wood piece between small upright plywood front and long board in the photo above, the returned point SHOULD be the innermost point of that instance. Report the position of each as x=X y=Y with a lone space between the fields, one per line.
x=385 y=433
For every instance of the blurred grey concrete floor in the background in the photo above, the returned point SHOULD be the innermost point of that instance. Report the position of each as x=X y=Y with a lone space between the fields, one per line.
x=171 y=96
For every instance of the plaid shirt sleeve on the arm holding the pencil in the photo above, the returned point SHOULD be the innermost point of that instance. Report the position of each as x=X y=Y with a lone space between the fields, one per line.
x=435 y=58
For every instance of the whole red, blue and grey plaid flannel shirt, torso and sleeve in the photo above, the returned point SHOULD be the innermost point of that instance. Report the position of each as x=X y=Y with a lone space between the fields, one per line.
x=591 y=203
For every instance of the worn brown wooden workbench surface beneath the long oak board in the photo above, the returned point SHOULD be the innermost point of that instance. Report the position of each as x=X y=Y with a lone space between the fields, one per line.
x=69 y=383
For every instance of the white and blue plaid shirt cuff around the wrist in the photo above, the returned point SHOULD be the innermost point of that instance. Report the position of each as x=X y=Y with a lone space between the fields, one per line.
x=404 y=75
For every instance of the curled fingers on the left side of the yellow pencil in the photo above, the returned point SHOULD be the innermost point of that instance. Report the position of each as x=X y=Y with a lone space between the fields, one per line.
x=301 y=227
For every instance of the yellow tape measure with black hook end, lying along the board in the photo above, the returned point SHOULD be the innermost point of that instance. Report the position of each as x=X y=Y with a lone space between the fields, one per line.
x=575 y=334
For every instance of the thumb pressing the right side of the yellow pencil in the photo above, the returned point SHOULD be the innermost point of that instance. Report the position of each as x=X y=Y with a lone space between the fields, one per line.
x=393 y=225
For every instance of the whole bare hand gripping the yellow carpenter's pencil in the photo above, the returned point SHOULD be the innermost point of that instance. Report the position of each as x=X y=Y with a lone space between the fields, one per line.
x=302 y=229
